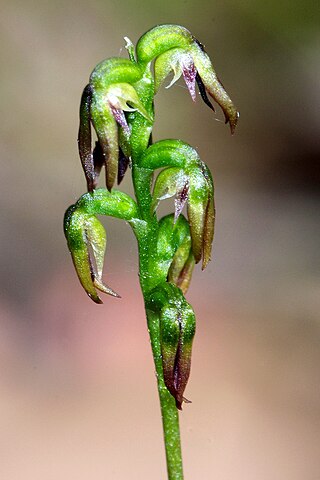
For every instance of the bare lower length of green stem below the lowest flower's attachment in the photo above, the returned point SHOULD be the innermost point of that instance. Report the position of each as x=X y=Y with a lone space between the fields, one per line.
x=170 y=418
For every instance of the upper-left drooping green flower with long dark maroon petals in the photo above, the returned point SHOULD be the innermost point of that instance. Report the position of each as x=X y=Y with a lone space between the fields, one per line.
x=104 y=102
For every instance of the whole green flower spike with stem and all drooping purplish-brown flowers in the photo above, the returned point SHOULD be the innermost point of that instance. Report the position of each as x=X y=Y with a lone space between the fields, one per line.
x=118 y=105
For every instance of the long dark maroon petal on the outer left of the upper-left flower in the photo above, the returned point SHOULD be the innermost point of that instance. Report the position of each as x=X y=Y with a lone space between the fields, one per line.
x=84 y=137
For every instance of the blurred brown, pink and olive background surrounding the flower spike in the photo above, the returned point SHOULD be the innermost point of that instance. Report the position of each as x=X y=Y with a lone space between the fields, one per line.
x=77 y=388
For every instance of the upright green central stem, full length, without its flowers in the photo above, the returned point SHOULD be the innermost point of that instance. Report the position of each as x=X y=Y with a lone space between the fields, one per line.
x=151 y=274
